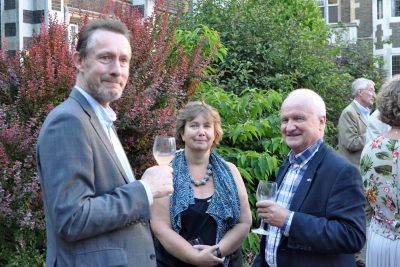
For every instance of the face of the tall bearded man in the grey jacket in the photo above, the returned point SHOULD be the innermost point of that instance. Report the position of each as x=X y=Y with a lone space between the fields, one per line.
x=105 y=70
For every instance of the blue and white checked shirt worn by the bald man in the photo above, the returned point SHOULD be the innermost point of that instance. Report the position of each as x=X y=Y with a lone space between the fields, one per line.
x=287 y=189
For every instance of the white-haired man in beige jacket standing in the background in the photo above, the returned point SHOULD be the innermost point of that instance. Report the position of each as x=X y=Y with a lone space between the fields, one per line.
x=353 y=120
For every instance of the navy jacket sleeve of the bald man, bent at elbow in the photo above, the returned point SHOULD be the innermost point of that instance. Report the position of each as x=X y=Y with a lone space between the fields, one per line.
x=339 y=226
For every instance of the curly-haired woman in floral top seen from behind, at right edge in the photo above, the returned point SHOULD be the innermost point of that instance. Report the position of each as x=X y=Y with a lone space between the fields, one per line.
x=380 y=167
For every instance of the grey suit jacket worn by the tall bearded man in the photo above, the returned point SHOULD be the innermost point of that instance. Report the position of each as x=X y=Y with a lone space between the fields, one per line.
x=94 y=216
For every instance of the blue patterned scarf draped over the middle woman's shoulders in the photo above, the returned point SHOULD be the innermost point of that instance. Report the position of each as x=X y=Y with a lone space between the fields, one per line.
x=224 y=206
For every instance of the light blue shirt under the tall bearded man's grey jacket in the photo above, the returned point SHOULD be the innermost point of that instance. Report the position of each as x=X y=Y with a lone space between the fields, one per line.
x=106 y=117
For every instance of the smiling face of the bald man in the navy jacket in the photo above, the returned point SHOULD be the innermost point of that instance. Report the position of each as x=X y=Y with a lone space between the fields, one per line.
x=300 y=125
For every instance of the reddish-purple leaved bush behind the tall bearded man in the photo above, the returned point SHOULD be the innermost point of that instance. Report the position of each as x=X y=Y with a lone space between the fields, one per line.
x=163 y=78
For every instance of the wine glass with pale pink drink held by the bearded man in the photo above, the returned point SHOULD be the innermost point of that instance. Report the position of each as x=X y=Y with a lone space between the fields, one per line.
x=164 y=149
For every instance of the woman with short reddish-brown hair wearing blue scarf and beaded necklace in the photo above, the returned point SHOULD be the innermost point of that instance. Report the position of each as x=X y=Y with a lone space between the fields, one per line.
x=208 y=216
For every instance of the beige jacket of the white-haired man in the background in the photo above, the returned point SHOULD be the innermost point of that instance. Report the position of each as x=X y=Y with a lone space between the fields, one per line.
x=352 y=127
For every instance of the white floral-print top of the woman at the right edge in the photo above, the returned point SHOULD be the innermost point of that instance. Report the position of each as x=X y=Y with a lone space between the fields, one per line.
x=379 y=168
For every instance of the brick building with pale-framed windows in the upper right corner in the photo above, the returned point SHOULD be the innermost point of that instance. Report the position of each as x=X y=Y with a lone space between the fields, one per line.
x=376 y=22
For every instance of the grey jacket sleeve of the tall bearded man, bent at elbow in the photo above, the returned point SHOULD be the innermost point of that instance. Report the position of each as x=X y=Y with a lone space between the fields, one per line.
x=81 y=199
